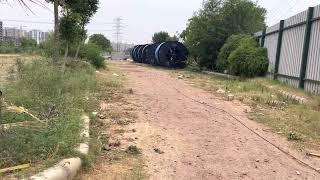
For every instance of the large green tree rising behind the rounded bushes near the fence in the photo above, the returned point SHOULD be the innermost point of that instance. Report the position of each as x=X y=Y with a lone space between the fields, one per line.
x=209 y=28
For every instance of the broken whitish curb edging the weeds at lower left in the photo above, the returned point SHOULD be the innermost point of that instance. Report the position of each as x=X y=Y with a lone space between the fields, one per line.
x=68 y=168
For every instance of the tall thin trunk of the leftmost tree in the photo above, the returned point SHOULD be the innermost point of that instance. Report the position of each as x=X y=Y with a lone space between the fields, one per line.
x=56 y=32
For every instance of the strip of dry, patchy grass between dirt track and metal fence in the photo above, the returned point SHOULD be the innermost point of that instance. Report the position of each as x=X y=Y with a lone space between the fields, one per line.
x=297 y=122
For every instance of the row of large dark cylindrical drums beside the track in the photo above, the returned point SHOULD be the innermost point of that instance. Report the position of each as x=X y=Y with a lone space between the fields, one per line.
x=169 y=53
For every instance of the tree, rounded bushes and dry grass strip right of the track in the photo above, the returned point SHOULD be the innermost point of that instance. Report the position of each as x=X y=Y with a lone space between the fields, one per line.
x=219 y=37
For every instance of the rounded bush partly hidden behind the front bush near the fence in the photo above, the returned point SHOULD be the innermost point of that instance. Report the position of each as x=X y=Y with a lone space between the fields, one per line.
x=232 y=44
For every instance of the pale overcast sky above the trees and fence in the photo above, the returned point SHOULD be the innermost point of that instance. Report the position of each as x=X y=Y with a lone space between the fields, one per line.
x=141 y=18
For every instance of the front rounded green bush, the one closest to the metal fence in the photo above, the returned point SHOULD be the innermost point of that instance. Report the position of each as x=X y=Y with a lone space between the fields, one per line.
x=248 y=61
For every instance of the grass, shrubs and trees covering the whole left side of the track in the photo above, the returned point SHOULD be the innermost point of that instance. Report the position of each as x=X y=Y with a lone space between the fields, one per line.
x=44 y=98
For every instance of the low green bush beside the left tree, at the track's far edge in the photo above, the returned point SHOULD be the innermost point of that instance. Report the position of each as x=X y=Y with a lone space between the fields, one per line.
x=91 y=52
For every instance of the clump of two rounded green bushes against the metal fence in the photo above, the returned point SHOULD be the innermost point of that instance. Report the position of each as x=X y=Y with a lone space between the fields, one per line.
x=241 y=56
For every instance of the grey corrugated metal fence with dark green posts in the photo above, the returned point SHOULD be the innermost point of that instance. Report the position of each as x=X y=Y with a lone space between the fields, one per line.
x=294 y=50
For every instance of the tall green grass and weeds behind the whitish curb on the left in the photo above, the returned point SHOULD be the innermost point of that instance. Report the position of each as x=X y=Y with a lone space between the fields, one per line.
x=55 y=98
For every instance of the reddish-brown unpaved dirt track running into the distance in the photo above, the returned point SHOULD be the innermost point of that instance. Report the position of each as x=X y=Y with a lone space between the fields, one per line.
x=199 y=141
